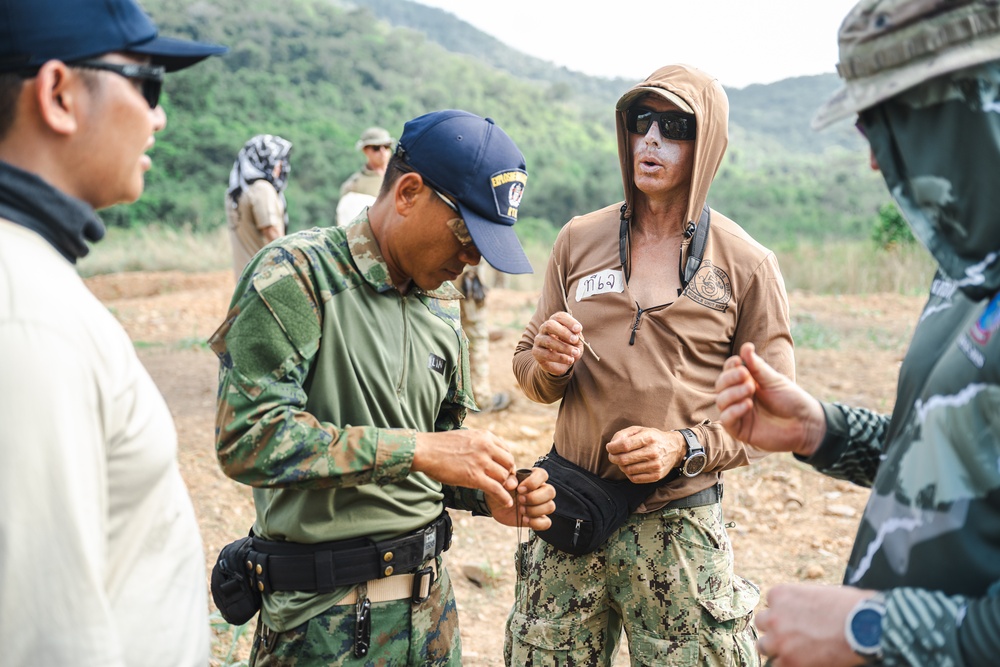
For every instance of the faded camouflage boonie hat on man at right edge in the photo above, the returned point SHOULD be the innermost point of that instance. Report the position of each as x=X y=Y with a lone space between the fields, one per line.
x=889 y=46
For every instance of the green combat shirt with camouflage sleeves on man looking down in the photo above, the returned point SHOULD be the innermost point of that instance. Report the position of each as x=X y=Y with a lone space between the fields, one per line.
x=327 y=373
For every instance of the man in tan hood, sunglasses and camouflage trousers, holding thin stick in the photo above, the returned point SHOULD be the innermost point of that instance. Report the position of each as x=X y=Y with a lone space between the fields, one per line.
x=663 y=289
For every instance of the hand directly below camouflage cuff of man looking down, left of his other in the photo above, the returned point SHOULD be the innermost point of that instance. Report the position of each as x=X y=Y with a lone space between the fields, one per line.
x=472 y=458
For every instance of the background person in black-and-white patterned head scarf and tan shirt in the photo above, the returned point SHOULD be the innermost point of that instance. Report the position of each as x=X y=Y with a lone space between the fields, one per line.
x=255 y=201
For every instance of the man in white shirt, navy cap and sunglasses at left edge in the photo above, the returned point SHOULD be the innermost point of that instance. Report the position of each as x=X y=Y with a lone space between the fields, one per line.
x=101 y=562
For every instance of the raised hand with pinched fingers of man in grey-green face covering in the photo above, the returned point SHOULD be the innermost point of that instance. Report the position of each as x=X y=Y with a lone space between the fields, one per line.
x=760 y=406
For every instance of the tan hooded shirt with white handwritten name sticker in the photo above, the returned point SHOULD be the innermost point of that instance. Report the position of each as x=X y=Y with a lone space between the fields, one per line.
x=658 y=363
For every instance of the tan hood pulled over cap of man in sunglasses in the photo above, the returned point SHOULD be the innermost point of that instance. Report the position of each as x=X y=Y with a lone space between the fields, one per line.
x=696 y=92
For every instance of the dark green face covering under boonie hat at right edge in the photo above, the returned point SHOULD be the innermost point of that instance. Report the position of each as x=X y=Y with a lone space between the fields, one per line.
x=938 y=148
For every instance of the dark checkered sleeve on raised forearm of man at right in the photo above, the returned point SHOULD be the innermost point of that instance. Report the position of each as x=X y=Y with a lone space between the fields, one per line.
x=852 y=448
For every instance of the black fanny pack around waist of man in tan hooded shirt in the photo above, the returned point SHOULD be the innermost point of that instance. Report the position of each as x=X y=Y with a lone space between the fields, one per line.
x=588 y=508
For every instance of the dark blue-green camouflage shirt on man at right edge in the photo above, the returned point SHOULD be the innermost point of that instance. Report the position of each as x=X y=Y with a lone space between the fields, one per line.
x=931 y=530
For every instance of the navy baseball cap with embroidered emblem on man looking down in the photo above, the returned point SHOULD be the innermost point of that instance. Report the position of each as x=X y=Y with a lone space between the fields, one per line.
x=473 y=161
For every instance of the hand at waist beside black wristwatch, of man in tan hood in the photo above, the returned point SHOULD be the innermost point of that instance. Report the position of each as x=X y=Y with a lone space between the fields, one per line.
x=646 y=454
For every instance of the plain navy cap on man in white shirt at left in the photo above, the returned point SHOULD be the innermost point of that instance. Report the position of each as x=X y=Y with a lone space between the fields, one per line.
x=32 y=32
